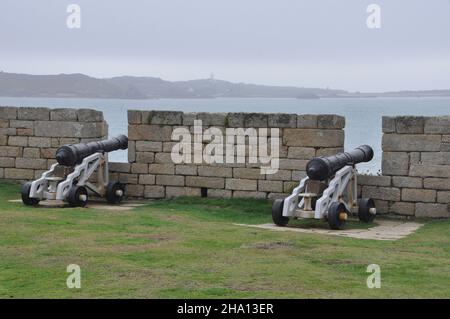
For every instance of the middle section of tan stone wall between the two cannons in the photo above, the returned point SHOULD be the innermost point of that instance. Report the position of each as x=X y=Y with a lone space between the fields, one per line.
x=151 y=172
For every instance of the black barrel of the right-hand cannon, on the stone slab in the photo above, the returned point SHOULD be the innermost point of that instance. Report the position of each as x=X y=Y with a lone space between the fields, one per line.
x=321 y=168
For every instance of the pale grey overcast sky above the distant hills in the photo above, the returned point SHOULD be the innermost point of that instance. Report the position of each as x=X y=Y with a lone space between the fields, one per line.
x=315 y=43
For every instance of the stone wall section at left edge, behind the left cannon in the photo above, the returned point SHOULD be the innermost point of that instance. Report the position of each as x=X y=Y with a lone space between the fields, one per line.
x=29 y=137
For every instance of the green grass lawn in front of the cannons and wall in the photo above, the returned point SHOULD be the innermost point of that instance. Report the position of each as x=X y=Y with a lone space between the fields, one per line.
x=189 y=248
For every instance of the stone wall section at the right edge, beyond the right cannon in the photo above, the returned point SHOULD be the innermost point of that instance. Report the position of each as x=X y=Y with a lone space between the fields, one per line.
x=415 y=168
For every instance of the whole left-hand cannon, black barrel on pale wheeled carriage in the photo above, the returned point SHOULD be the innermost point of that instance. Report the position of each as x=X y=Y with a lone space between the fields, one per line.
x=69 y=180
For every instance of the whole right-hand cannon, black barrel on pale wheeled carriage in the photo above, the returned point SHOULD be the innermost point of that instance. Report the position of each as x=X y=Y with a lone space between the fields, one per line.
x=328 y=192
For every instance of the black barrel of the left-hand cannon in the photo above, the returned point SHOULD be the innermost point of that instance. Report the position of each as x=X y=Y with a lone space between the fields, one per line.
x=69 y=155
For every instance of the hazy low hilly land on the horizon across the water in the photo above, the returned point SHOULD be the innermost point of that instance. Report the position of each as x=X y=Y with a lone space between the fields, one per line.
x=132 y=87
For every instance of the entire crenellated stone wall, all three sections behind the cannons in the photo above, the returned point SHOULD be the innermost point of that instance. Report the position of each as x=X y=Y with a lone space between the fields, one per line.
x=415 y=177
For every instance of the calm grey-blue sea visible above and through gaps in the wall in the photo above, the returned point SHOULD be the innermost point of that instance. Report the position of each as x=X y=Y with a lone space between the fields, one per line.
x=363 y=115
